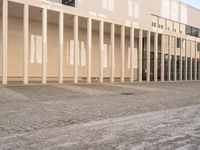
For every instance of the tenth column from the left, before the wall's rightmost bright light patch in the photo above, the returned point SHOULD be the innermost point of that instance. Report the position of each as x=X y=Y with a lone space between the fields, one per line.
x=131 y=53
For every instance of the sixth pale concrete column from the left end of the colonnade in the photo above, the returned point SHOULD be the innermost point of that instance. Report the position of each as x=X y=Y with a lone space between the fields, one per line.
x=89 y=47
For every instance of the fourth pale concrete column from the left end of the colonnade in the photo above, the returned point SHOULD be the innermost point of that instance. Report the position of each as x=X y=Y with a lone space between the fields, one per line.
x=61 y=39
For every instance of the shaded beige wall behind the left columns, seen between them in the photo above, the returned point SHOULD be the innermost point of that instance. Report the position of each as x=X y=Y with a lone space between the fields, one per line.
x=15 y=51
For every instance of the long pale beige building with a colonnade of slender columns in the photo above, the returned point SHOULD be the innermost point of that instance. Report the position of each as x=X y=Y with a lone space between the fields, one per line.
x=99 y=41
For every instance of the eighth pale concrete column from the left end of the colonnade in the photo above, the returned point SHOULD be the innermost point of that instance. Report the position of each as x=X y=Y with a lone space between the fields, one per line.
x=112 y=76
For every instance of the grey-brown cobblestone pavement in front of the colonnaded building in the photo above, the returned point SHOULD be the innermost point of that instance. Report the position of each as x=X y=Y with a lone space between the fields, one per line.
x=100 y=116
